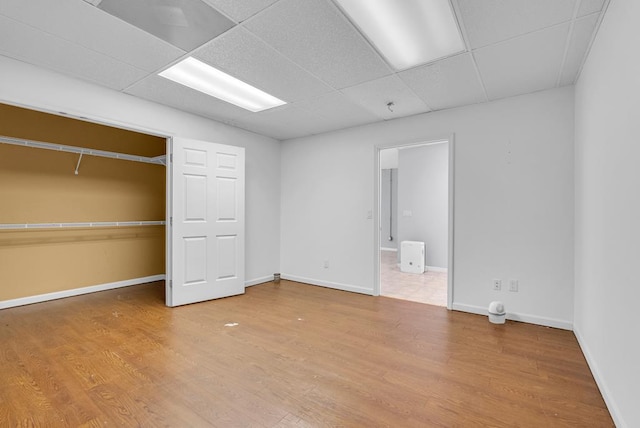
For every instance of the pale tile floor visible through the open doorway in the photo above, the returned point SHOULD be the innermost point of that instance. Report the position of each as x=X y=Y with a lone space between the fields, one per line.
x=429 y=287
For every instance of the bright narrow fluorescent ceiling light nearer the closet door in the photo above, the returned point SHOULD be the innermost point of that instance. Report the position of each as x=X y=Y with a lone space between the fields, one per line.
x=211 y=81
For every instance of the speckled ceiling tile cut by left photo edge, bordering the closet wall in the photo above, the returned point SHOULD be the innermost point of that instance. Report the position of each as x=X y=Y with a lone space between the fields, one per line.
x=27 y=44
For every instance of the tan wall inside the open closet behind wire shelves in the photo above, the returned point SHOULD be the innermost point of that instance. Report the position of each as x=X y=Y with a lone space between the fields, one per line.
x=39 y=186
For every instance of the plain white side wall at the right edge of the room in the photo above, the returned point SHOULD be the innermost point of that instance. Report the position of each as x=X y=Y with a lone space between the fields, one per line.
x=608 y=210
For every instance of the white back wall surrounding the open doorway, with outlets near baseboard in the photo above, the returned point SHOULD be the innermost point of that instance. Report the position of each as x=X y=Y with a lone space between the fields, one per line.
x=513 y=203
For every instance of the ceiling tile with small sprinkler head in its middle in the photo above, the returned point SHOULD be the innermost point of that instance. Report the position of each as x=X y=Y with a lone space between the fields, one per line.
x=375 y=95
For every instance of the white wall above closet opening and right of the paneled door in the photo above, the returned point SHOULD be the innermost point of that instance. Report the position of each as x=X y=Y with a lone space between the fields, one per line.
x=29 y=86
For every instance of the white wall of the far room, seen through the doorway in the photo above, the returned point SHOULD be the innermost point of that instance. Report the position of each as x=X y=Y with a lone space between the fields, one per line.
x=423 y=190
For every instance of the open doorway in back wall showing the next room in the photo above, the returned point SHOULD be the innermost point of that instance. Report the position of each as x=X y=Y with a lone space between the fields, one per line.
x=415 y=222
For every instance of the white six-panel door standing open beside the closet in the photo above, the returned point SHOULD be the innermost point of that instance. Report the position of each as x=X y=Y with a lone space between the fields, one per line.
x=206 y=206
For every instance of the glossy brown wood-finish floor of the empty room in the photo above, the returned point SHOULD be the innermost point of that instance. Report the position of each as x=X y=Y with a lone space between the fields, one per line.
x=299 y=356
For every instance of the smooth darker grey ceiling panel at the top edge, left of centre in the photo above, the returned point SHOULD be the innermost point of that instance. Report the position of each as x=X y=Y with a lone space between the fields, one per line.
x=186 y=24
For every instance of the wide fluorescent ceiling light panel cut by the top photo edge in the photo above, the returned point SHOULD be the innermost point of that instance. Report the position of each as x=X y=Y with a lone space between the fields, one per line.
x=407 y=32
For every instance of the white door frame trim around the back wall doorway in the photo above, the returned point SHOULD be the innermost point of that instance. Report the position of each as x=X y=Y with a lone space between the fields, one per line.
x=450 y=140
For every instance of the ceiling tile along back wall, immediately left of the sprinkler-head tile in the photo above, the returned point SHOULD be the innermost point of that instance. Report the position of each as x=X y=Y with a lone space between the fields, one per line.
x=338 y=111
